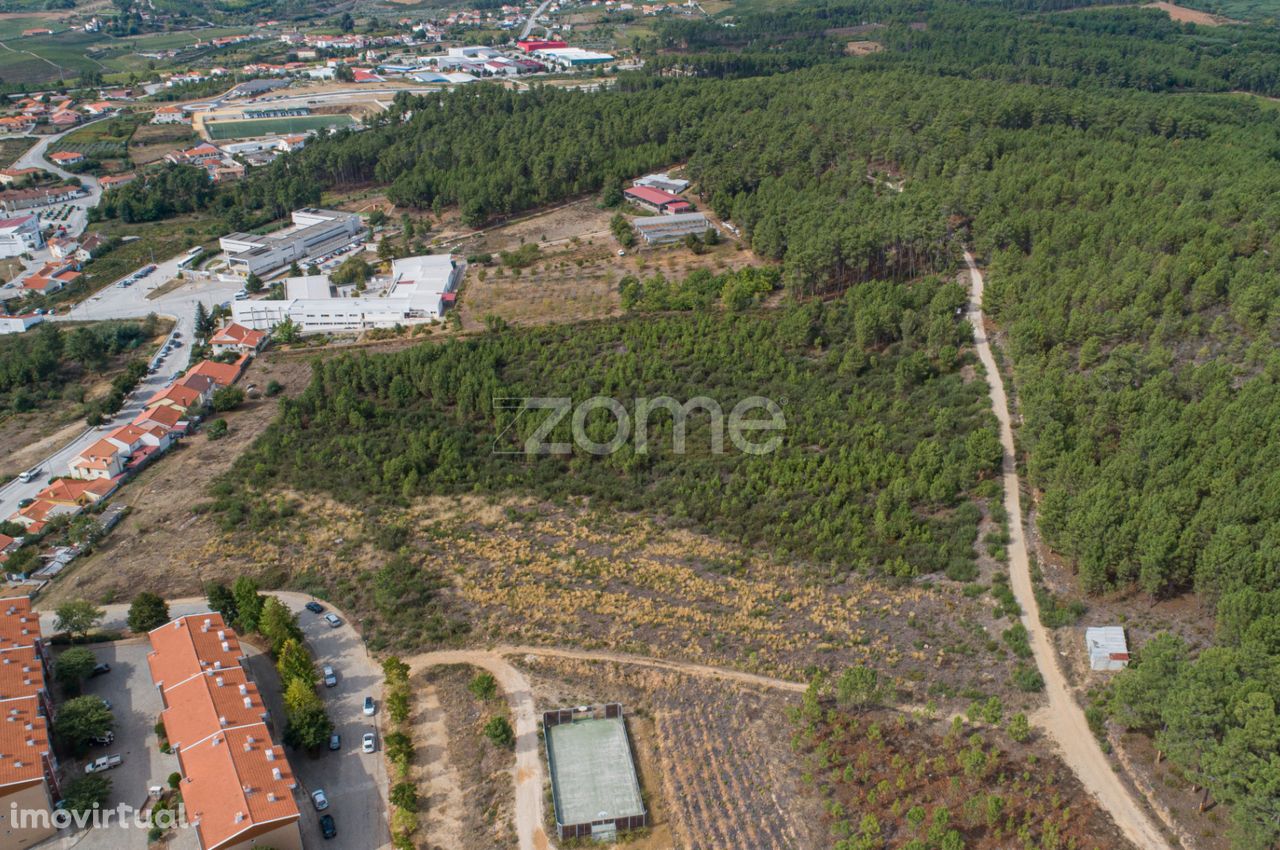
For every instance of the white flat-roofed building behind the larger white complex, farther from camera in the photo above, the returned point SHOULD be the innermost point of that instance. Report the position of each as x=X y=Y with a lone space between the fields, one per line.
x=313 y=235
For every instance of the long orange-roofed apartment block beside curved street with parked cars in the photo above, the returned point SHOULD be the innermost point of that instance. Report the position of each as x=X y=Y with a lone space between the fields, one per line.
x=237 y=785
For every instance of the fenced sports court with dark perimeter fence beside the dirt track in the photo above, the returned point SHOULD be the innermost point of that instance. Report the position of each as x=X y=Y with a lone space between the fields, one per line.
x=595 y=784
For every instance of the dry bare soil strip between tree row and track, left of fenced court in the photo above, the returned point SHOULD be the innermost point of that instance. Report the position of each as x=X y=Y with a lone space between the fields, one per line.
x=477 y=774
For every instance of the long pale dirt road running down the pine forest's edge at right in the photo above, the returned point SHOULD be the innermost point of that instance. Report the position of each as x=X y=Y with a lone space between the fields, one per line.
x=1063 y=720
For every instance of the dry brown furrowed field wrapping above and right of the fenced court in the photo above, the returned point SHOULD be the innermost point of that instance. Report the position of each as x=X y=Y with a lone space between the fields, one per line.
x=716 y=767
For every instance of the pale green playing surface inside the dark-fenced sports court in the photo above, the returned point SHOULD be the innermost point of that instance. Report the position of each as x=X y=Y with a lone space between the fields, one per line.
x=593 y=778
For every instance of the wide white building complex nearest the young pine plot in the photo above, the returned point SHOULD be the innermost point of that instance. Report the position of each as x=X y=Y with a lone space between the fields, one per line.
x=415 y=293
